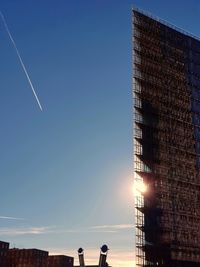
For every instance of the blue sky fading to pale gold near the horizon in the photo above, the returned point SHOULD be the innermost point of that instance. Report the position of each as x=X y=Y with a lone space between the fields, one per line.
x=66 y=172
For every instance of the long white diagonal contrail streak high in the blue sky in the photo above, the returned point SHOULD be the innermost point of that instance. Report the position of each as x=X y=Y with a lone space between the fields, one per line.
x=20 y=59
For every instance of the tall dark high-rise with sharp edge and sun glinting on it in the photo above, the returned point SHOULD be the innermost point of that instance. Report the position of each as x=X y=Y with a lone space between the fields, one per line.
x=166 y=90
